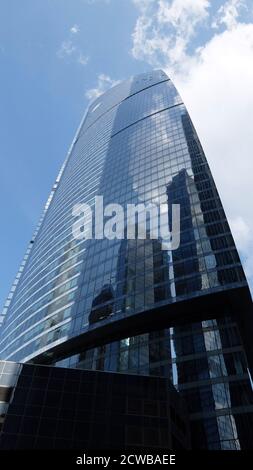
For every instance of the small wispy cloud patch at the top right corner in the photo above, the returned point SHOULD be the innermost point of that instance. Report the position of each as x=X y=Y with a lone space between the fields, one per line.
x=228 y=14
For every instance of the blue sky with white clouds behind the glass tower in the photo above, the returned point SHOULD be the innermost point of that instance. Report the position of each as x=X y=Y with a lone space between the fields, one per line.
x=56 y=55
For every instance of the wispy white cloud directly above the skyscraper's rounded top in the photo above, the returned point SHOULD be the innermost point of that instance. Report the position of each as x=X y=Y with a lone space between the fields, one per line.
x=164 y=29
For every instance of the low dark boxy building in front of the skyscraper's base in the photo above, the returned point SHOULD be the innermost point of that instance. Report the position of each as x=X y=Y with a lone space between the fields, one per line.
x=55 y=408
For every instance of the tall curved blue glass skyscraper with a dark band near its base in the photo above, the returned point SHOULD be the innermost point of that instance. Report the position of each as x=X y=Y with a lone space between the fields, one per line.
x=131 y=305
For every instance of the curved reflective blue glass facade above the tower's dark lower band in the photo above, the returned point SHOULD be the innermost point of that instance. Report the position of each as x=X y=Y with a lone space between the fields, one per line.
x=136 y=144
